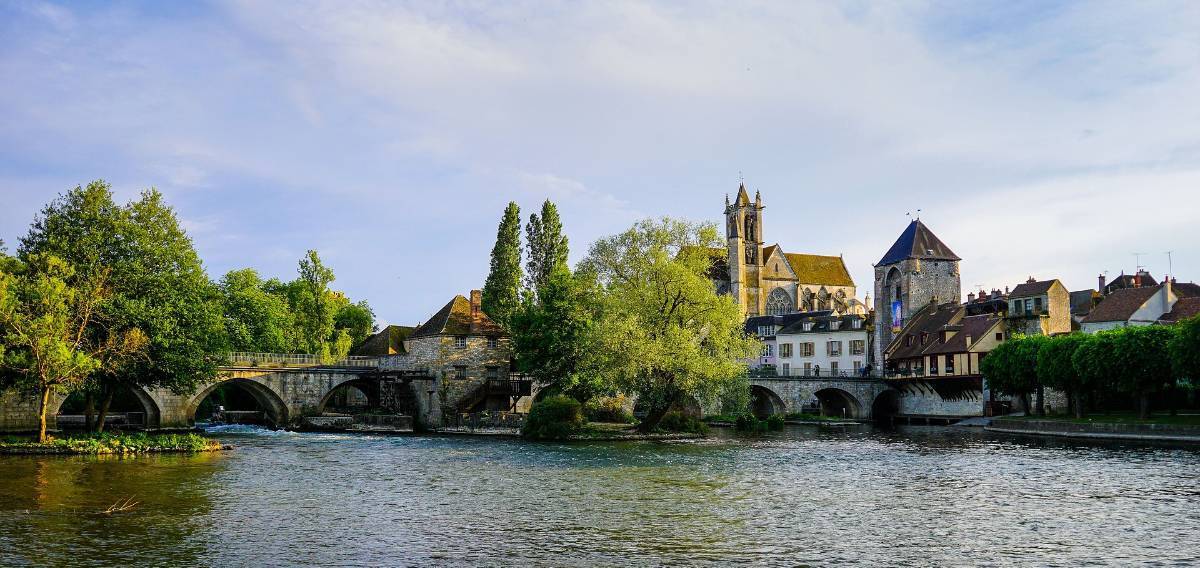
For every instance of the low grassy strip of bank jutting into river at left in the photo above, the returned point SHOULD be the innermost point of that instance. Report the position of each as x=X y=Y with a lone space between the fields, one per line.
x=112 y=444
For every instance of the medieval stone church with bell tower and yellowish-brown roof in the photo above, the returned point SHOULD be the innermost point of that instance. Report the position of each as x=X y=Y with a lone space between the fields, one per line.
x=766 y=282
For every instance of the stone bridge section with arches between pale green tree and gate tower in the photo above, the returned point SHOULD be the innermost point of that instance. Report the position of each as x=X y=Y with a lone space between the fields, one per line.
x=854 y=398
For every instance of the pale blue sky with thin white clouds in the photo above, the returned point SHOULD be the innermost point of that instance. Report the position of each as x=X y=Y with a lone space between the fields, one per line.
x=1037 y=139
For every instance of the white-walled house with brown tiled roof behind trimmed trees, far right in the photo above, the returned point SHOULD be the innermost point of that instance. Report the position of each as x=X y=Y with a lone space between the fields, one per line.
x=1138 y=307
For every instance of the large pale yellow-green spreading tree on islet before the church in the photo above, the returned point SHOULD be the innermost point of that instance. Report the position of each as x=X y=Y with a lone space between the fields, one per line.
x=663 y=332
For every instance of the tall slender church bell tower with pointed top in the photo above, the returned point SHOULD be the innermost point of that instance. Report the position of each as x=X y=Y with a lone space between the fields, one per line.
x=743 y=222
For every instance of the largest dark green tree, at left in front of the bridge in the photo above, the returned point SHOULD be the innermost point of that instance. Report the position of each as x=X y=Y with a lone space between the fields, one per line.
x=157 y=280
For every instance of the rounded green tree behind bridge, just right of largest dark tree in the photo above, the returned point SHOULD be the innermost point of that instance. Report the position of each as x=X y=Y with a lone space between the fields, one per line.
x=256 y=320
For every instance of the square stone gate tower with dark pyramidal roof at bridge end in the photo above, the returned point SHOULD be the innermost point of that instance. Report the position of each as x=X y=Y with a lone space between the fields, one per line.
x=917 y=271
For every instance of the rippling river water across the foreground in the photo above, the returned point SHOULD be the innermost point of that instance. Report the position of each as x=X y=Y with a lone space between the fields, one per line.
x=917 y=497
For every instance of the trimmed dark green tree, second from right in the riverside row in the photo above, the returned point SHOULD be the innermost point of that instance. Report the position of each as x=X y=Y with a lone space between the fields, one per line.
x=1145 y=363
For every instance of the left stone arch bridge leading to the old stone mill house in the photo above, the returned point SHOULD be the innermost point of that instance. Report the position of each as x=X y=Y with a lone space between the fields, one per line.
x=285 y=393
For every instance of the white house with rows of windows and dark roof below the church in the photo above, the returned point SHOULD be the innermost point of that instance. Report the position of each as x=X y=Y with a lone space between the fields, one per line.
x=824 y=345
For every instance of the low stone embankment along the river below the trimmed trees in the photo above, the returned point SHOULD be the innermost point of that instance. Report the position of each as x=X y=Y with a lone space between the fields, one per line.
x=1173 y=432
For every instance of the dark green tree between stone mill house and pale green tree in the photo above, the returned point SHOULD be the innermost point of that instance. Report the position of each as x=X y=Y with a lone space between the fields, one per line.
x=551 y=334
